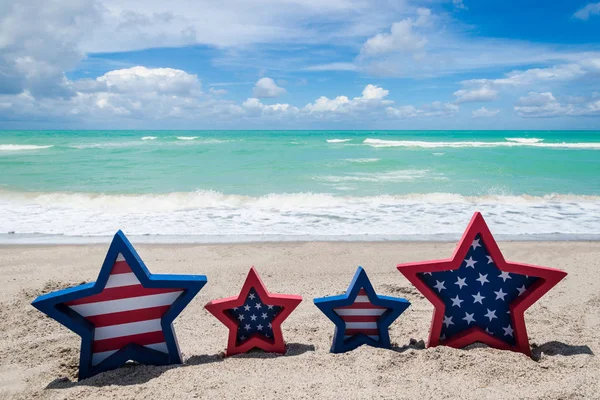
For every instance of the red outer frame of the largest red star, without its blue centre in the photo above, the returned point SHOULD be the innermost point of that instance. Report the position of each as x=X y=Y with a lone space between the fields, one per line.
x=547 y=278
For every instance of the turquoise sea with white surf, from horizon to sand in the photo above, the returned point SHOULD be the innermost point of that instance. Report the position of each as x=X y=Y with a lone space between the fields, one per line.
x=286 y=185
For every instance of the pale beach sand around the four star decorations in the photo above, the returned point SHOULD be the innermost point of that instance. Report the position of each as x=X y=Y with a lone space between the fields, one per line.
x=39 y=357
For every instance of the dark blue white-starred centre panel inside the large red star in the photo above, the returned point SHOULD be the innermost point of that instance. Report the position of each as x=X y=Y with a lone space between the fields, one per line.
x=477 y=294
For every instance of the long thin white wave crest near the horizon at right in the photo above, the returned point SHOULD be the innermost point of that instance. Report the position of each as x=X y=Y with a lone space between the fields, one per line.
x=429 y=145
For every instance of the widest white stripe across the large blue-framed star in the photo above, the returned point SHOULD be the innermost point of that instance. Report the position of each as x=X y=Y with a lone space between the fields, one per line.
x=133 y=303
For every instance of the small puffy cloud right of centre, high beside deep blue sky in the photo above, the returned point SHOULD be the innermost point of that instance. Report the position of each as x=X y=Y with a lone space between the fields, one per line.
x=401 y=38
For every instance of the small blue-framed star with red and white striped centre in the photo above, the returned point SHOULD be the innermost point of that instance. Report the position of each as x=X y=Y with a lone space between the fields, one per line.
x=360 y=315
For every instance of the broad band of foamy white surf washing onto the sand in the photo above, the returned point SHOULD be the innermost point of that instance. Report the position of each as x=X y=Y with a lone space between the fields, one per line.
x=308 y=215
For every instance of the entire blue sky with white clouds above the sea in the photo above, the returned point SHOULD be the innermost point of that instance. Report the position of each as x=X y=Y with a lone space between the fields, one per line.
x=299 y=64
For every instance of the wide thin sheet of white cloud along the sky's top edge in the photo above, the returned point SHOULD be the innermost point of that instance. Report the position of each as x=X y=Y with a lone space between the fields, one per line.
x=235 y=23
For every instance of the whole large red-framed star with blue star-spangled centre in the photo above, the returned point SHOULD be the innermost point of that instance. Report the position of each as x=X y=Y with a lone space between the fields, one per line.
x=477 y=295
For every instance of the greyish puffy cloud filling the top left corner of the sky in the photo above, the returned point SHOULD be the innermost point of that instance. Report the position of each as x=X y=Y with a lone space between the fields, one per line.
x=39 y=40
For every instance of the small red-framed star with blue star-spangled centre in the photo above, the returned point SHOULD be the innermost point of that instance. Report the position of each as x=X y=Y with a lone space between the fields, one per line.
x=254 y=317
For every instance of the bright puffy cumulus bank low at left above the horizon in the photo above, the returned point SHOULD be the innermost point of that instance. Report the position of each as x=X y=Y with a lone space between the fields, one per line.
x=138 y=93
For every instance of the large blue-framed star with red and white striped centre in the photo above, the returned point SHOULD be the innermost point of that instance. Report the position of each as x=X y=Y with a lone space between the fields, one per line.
x=126 y=314
